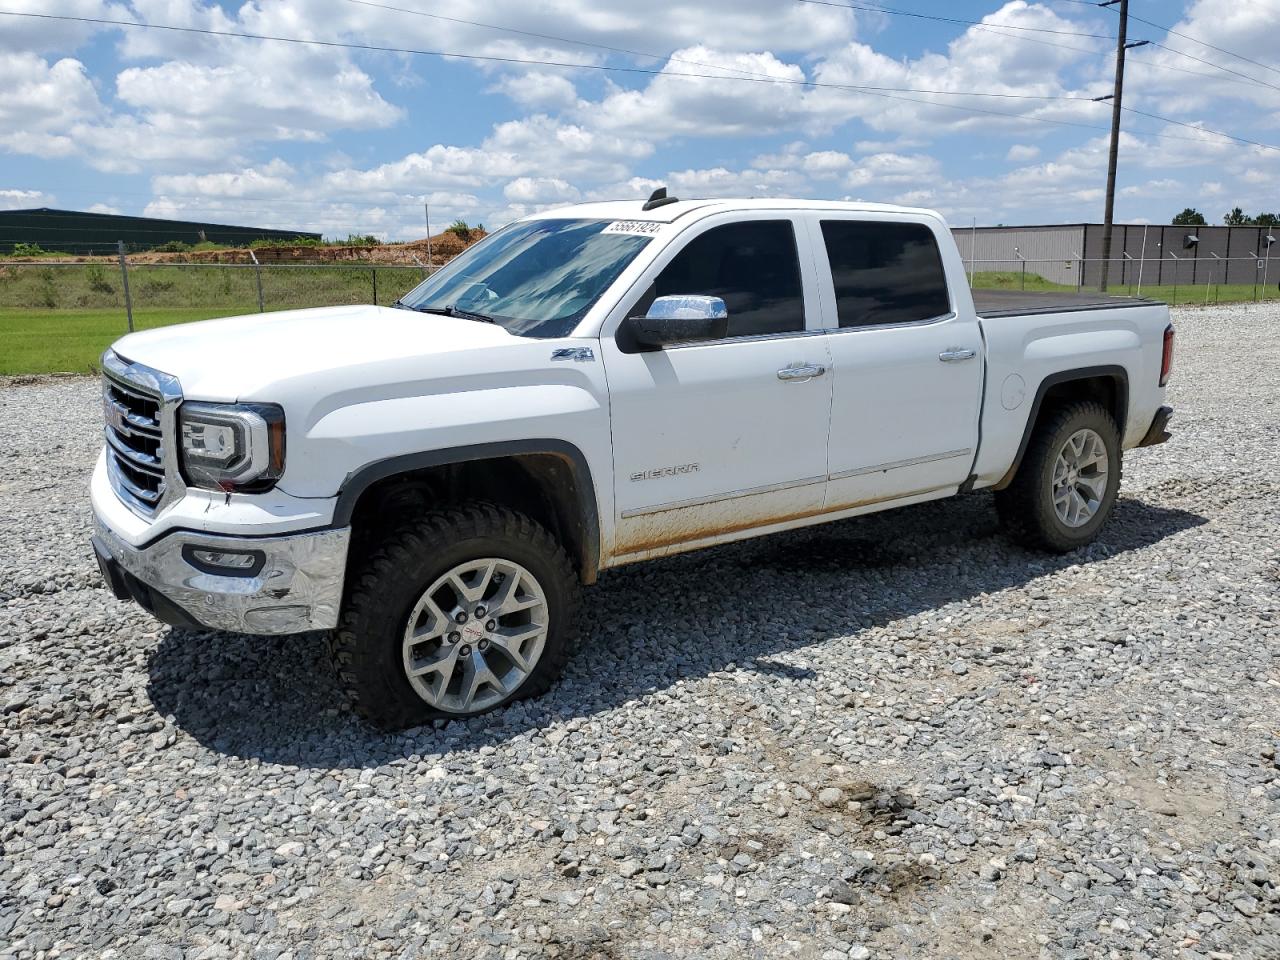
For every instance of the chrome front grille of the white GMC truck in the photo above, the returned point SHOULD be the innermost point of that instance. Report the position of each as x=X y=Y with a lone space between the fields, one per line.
x=139 y=404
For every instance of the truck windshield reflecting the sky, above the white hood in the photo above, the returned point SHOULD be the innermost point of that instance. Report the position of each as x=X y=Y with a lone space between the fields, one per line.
x=536 y=278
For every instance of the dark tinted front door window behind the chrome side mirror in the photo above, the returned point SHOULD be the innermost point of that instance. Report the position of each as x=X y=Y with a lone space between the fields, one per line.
x=753 y=267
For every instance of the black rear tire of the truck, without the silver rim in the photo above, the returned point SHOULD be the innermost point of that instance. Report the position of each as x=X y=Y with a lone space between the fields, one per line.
x=1026 y=508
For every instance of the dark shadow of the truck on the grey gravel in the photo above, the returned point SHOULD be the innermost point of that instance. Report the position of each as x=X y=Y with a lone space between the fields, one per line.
x=644 y=629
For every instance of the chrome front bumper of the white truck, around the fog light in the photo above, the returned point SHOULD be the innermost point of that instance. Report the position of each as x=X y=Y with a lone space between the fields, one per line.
x=296 y=588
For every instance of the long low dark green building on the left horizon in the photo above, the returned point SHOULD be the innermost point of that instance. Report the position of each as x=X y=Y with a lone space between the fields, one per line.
x=75 y=232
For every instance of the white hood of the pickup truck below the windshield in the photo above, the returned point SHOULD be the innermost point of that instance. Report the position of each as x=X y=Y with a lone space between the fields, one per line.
x=250 y=358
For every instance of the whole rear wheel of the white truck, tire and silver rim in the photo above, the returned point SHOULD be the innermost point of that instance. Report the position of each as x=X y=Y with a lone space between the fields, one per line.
x=1068 y=481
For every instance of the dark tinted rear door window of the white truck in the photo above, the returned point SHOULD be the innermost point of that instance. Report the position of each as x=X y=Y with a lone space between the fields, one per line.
x=885 y=273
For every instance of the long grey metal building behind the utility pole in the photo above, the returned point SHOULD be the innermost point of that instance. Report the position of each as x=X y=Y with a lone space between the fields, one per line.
x=1072 y=254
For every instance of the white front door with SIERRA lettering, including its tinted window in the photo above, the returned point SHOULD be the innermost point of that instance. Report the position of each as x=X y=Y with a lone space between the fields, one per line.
x=715 y=441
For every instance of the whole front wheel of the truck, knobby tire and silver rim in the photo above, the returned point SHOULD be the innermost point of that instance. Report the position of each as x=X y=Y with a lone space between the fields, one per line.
x=456 y=615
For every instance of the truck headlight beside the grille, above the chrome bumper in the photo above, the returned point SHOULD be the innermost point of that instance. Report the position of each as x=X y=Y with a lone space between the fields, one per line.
x=232 y=447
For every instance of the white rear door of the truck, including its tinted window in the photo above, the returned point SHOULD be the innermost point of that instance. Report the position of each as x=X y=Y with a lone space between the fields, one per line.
x=907 y=368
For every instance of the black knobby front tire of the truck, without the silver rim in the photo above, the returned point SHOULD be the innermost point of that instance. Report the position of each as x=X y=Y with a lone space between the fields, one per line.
x=385 y=587
